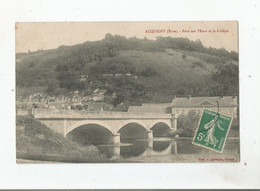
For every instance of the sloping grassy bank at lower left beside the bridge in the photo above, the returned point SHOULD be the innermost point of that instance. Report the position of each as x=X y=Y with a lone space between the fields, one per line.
x=34 y=141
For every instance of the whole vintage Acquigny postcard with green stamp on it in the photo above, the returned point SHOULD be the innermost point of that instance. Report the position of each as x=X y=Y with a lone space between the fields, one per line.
x=127 y=92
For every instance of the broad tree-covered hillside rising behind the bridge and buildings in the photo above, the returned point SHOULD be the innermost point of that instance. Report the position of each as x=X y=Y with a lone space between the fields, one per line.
x=135 y=70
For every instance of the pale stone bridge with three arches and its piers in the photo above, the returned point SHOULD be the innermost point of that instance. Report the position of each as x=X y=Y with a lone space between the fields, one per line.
x=65 y=121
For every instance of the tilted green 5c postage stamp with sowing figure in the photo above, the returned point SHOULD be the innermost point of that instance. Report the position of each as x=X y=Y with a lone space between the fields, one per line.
x=212 y=130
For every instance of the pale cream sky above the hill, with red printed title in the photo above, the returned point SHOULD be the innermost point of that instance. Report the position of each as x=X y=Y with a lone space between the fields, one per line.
x=51 y=35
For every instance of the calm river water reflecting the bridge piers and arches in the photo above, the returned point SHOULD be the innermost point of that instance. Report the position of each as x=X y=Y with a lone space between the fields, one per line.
x=138 y=147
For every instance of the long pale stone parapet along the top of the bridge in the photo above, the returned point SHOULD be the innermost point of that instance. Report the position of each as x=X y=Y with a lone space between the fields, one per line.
x=79 y=114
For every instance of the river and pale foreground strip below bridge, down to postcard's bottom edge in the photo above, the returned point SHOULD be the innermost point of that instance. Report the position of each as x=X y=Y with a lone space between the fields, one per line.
x=168 y=150
